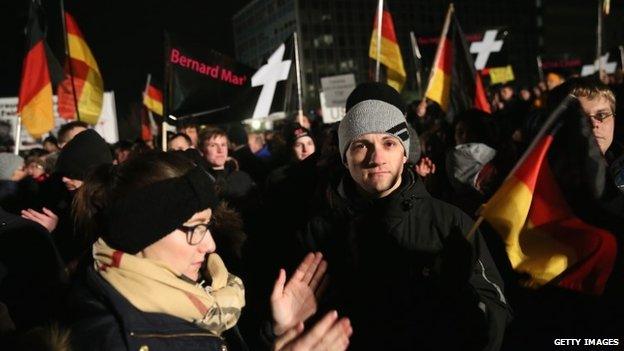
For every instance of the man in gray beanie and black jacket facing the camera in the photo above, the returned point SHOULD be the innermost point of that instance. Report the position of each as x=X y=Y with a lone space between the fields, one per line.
x=409 y=276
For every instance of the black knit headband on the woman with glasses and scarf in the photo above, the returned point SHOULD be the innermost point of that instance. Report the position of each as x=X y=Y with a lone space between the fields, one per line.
x=148 y=214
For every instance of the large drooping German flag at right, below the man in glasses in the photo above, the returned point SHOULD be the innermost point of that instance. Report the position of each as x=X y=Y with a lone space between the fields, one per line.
x=543 y=237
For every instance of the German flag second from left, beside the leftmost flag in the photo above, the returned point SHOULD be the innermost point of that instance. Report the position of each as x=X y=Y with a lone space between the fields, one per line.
x=87 y=90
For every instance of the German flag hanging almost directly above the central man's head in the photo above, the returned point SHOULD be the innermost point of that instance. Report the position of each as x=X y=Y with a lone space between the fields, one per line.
x=390 y=53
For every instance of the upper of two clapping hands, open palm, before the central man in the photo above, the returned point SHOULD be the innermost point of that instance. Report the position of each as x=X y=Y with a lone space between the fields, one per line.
x=294 y=302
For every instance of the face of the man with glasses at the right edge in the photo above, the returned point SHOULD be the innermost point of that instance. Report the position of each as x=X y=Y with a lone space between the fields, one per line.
x=596 y=109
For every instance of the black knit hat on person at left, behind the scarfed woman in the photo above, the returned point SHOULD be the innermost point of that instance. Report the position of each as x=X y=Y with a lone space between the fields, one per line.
x=85 y=151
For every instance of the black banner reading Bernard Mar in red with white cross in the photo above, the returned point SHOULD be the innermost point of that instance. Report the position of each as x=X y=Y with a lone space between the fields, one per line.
x=209 y=87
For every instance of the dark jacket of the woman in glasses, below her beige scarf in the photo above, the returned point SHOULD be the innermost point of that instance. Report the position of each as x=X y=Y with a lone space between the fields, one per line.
x=102 y=319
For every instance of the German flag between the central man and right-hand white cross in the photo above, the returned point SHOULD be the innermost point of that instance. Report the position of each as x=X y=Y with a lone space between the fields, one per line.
x=454 y=83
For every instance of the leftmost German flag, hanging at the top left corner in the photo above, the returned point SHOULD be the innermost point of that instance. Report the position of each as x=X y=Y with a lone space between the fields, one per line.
x=35 y=95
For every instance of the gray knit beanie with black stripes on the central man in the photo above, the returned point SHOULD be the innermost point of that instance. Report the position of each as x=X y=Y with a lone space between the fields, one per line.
x=372 y=116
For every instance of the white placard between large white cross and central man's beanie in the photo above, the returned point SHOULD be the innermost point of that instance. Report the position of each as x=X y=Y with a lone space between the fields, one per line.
x=333 y=98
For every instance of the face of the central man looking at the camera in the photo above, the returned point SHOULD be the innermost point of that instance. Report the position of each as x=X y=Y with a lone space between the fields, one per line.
x=375 y=162
